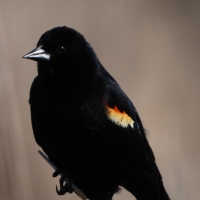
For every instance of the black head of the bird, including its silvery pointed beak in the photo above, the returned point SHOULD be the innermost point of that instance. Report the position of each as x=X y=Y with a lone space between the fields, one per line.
x=62 y=51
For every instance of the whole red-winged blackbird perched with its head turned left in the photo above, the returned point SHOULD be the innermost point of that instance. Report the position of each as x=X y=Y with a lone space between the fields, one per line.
x=86 y=124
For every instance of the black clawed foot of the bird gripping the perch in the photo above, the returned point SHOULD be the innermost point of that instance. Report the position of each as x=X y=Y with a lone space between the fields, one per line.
x=65 y=183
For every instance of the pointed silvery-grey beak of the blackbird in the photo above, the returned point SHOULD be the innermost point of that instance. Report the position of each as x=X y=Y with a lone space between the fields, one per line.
x=38 y=54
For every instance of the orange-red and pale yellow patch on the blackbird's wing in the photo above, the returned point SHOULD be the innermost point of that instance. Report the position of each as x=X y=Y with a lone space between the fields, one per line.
x=118 y=117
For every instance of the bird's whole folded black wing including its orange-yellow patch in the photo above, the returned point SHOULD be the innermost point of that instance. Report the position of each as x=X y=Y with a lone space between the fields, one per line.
x=126 y=137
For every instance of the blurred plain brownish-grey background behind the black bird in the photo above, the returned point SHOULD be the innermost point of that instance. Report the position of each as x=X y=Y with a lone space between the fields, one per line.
x=151 y=47
